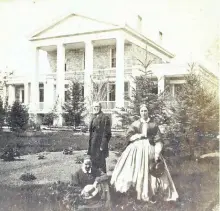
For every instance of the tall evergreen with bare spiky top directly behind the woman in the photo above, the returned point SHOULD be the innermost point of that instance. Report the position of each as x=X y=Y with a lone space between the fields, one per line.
x=143 y=92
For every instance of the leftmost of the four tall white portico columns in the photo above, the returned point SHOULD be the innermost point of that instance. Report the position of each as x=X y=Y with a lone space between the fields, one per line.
x=35 y=85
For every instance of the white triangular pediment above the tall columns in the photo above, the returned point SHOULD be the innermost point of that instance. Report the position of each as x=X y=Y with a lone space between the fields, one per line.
x=71 y=25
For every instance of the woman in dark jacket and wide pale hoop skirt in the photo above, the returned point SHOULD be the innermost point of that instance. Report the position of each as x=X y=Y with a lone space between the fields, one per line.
x=132 y=168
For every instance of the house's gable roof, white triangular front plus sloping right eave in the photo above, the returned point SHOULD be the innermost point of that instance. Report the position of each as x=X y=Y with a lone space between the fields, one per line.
x=82 y=24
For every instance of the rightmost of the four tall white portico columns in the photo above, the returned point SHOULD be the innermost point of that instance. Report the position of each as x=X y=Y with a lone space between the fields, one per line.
x=119 y=71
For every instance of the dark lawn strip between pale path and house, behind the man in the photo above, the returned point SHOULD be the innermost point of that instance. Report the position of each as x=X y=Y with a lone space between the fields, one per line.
x=52 y=142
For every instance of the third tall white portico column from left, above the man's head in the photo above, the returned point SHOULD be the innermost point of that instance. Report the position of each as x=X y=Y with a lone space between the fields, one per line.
x=88 y=70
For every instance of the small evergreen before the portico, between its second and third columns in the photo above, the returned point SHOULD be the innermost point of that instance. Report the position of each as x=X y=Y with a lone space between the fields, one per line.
x=74 y=106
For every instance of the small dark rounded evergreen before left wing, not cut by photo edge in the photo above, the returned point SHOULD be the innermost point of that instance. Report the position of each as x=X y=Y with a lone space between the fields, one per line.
x=18 y=117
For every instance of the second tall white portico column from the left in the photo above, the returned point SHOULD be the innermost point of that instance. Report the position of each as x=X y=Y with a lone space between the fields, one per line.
x=60 y=81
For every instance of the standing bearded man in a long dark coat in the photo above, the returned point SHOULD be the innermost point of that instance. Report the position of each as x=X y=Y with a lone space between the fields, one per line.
x=99 y=136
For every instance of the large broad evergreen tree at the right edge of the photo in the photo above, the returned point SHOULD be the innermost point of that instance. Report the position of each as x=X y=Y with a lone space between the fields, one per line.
x=194 y=111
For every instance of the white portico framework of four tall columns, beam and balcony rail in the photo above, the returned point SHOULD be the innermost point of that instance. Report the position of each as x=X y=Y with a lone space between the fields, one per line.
x=61 y=73
